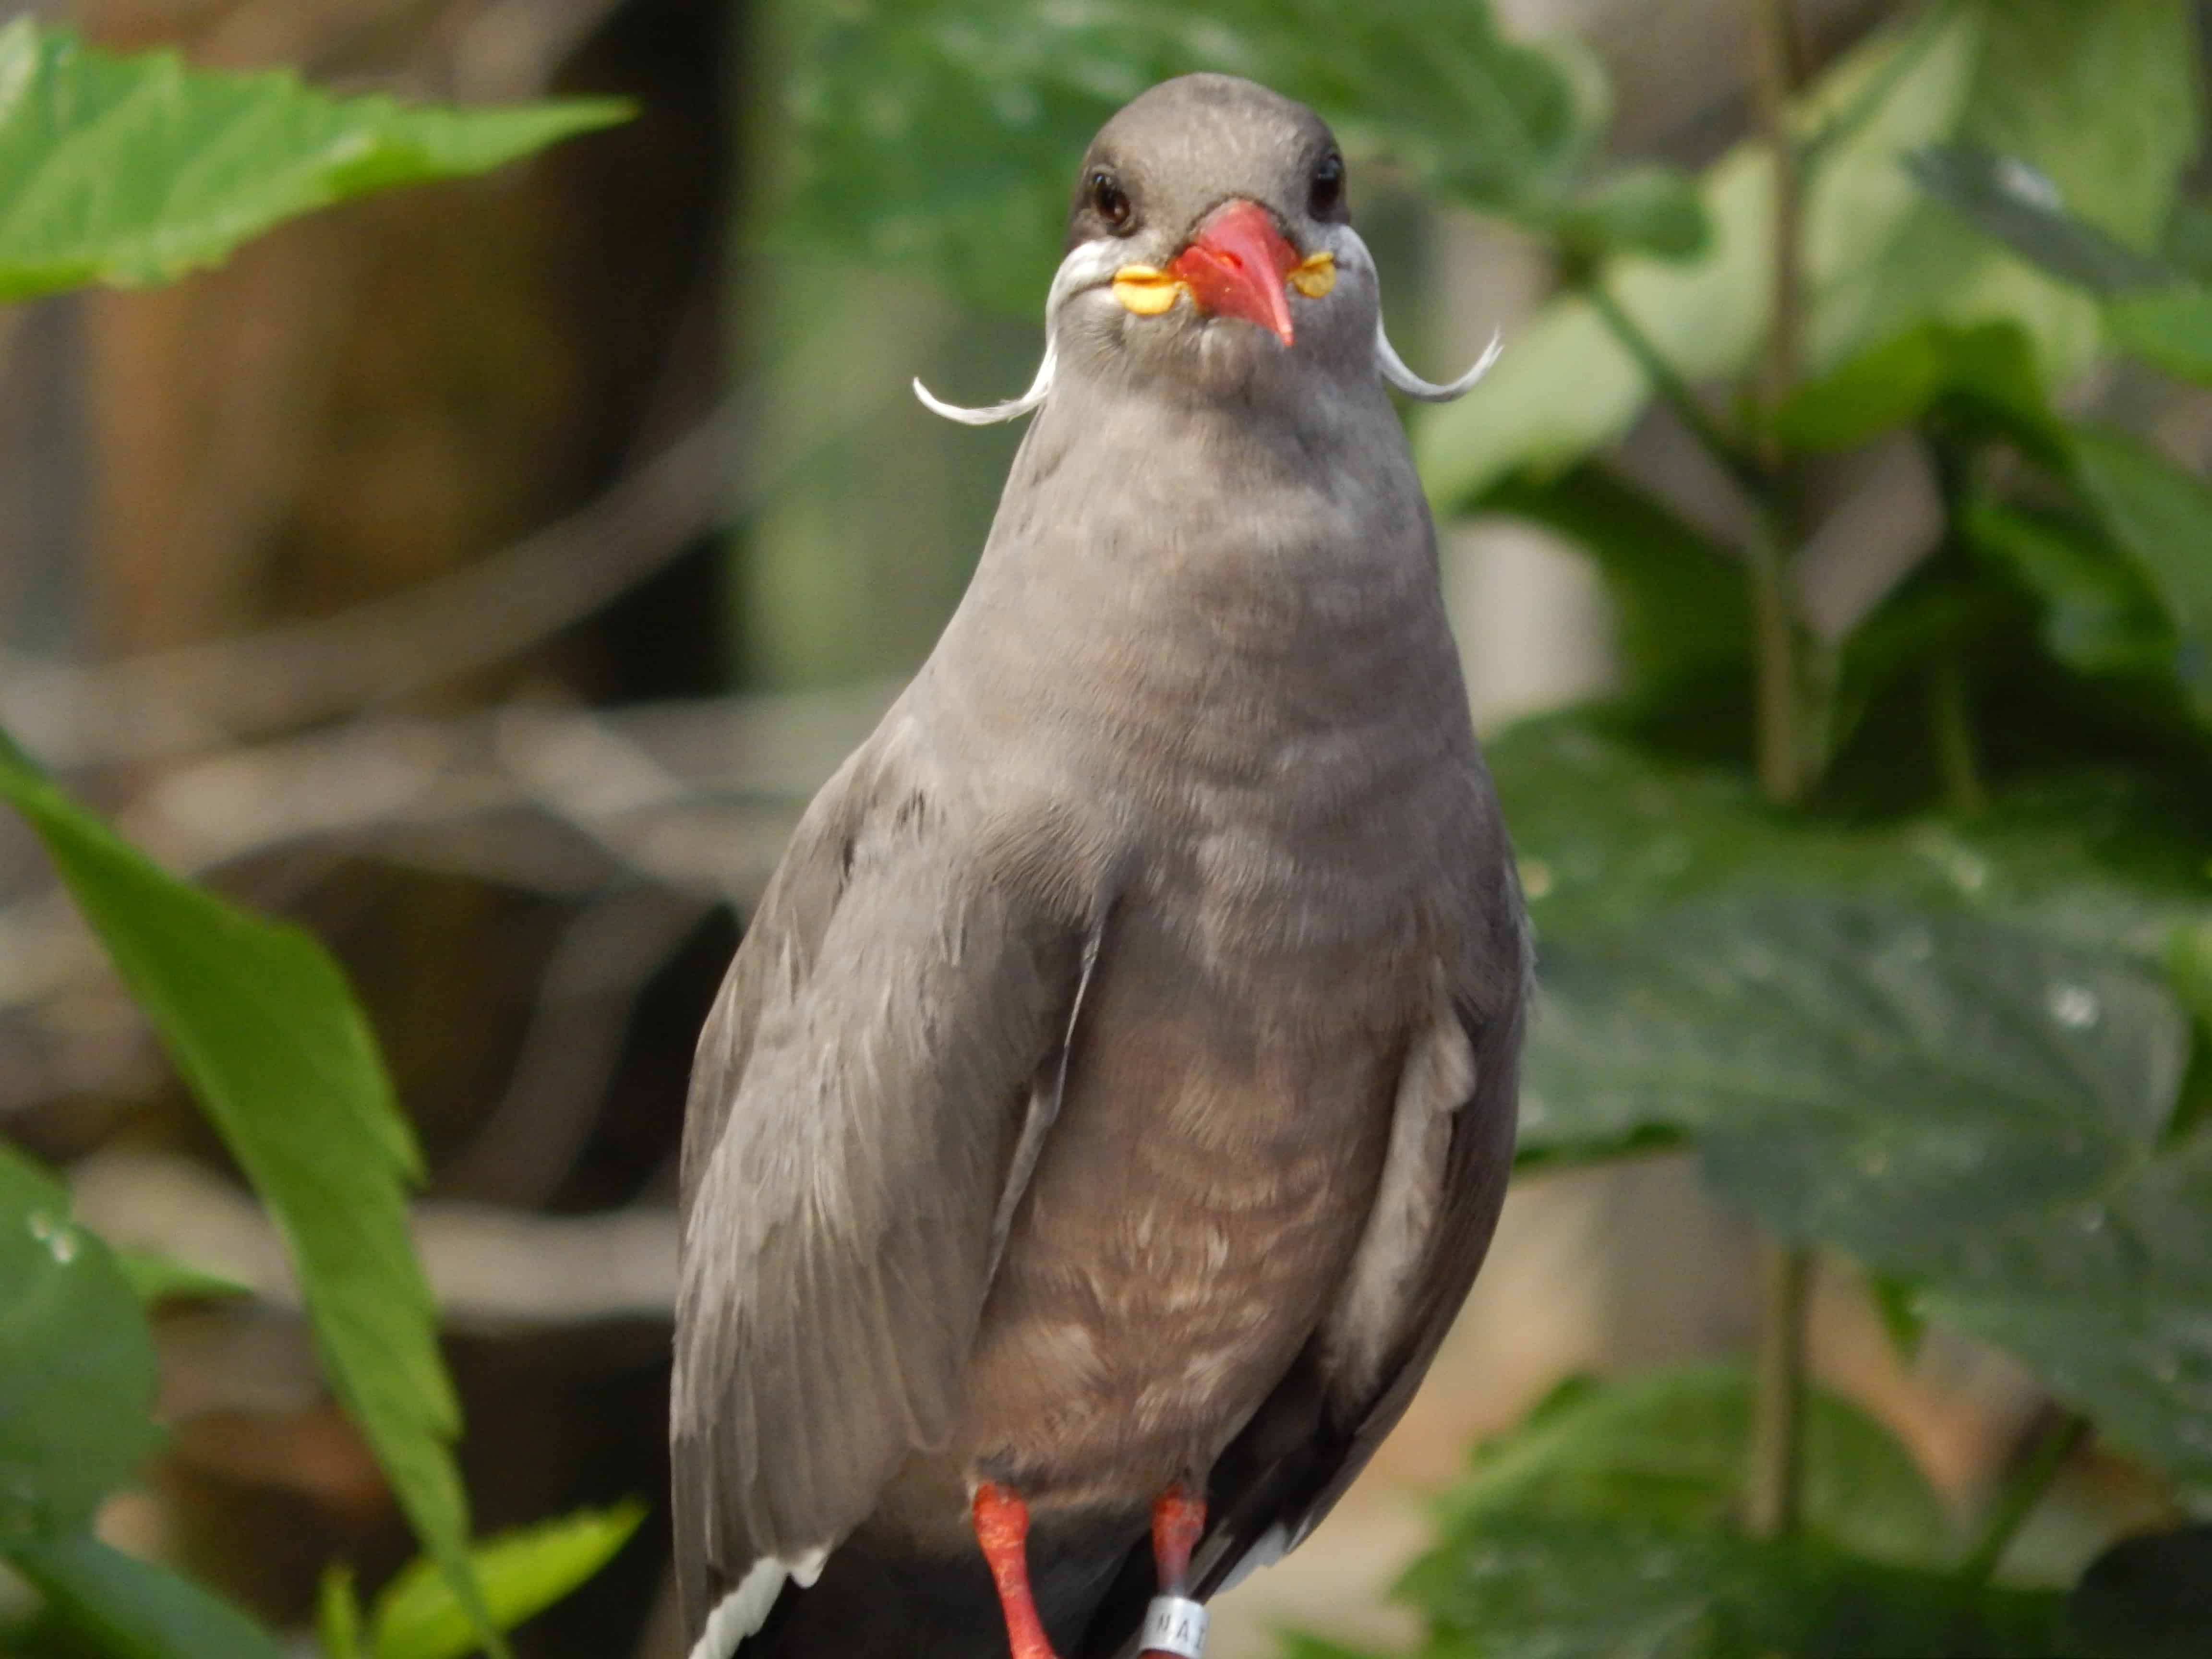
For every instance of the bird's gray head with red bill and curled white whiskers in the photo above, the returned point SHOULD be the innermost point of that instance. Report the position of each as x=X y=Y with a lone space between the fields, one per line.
x=1211 y=249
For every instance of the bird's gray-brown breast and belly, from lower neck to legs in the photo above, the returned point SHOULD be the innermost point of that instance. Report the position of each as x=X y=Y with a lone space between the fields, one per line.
x=1258 y=711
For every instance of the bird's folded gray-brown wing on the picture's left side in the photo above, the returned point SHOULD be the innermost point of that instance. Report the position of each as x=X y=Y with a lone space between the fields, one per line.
x=857 y=1107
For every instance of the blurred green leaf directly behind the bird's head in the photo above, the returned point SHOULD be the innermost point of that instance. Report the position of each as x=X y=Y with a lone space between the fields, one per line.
x=948 y=132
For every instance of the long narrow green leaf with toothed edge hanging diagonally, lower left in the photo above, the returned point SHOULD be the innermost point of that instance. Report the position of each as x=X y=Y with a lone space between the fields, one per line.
x=267 y=1032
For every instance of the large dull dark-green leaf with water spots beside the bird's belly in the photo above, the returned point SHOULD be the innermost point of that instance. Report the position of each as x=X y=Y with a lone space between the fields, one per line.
x=1939 y=1096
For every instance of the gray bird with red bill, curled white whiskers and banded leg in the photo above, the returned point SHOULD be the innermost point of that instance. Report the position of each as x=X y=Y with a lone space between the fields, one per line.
x=1112 y=1100
